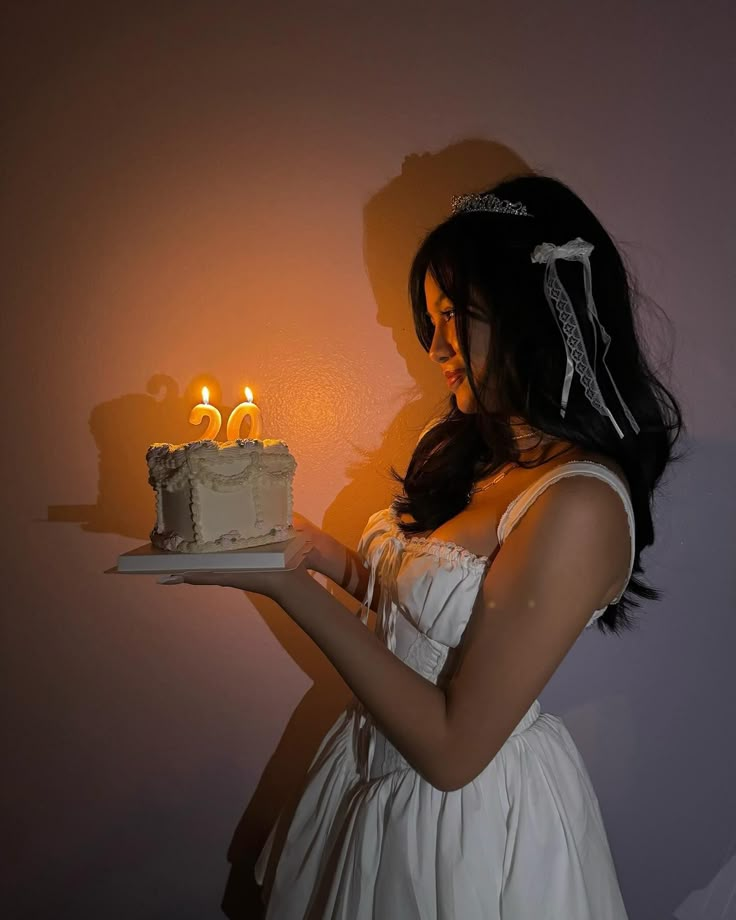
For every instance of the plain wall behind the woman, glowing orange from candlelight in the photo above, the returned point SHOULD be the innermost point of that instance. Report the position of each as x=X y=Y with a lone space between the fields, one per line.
x=231 y=194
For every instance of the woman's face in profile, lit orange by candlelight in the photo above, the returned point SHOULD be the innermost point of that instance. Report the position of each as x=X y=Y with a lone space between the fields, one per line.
x=446 y=350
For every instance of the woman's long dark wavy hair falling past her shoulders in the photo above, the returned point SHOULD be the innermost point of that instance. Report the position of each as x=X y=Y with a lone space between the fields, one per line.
x=482 y=263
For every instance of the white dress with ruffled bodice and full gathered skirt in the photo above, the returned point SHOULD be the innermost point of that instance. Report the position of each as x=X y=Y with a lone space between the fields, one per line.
x=371 y=839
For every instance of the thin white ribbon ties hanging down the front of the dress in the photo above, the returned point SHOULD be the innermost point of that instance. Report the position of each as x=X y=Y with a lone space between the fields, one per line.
x=383 y=566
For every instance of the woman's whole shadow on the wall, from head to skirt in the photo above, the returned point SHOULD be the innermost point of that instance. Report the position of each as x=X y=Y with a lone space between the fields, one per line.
x=395 y=220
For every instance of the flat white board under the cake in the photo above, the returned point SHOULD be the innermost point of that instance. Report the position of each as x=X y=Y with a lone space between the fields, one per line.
x=272 y=557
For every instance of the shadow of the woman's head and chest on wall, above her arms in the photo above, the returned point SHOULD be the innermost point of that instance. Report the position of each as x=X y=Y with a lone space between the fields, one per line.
x=395 y=220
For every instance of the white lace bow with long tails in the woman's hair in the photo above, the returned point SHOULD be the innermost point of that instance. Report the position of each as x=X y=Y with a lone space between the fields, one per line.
x=562 y=309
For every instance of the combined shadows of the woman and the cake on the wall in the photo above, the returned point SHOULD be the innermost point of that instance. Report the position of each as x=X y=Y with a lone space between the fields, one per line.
x=396 y=219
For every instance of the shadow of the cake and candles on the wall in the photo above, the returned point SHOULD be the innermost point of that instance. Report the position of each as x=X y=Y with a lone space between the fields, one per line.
x=123 y=429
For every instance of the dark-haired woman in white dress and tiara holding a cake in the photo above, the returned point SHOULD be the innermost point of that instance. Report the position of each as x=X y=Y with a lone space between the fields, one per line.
x=443 y=791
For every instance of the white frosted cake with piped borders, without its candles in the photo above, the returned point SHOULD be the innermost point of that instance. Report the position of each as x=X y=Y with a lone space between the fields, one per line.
x=212 y=496
